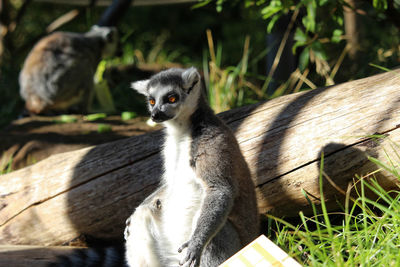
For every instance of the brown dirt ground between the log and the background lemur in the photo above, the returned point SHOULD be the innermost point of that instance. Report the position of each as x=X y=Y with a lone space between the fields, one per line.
x=29 y=140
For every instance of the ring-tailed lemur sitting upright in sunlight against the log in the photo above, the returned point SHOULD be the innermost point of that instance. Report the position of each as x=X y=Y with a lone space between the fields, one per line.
x=205 y=210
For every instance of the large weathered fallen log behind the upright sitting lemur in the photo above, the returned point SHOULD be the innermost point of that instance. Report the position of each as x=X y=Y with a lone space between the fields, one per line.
x=92 y=191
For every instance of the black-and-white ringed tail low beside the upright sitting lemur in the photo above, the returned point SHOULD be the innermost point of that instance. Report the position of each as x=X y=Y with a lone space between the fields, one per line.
x=106 y=256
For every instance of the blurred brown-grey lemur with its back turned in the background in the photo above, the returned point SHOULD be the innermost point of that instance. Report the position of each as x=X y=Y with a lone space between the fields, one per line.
x=58 y=72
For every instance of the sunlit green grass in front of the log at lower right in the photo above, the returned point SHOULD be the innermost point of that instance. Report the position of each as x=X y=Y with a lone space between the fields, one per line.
x=364 y=233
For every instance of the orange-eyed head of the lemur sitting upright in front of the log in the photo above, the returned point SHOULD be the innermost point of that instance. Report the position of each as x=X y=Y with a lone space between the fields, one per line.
x=170 y=93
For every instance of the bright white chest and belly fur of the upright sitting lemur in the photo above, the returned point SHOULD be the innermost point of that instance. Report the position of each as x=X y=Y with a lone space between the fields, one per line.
x=184 y=191
